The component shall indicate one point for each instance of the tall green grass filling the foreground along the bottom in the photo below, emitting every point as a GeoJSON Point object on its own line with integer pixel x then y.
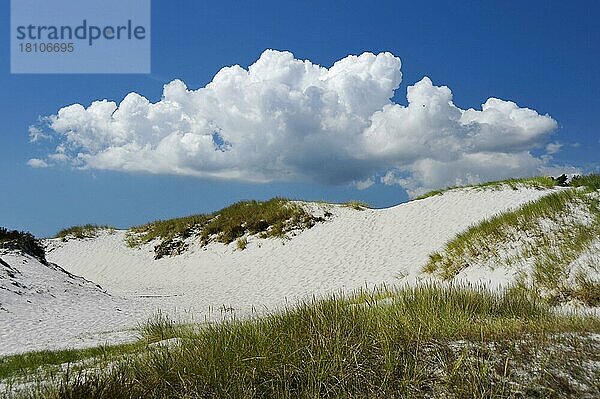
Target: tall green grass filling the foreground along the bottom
{"type": "Point", "coordinates": [428, 341]}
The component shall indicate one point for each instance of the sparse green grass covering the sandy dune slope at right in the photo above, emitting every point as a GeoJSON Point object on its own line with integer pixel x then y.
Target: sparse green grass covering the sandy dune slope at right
{"type": "Point", "coordinates": [551, 250]}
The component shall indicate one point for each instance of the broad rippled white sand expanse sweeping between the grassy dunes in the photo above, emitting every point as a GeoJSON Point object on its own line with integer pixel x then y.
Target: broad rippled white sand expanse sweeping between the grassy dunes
{"type": "Point", "coordinates": [351, 250]}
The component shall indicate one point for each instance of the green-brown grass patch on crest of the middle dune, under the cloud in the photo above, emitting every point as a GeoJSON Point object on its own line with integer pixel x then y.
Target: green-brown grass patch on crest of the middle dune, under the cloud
{"type": "Point", "coordinates": [273, 218]}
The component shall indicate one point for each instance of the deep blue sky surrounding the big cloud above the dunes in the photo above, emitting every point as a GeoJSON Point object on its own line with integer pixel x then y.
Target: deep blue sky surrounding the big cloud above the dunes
{"type": "Point", "coordinates": [542, 55]}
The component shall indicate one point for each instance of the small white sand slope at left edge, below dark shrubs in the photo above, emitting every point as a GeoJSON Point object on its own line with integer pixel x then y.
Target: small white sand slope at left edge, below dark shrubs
{"type": "Point", "coordinates": [42, 306]}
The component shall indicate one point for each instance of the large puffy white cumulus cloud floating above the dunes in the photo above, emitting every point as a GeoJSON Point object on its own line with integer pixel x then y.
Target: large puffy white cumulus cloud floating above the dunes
{"type": "Point", "coordinates": [285, 119]}
